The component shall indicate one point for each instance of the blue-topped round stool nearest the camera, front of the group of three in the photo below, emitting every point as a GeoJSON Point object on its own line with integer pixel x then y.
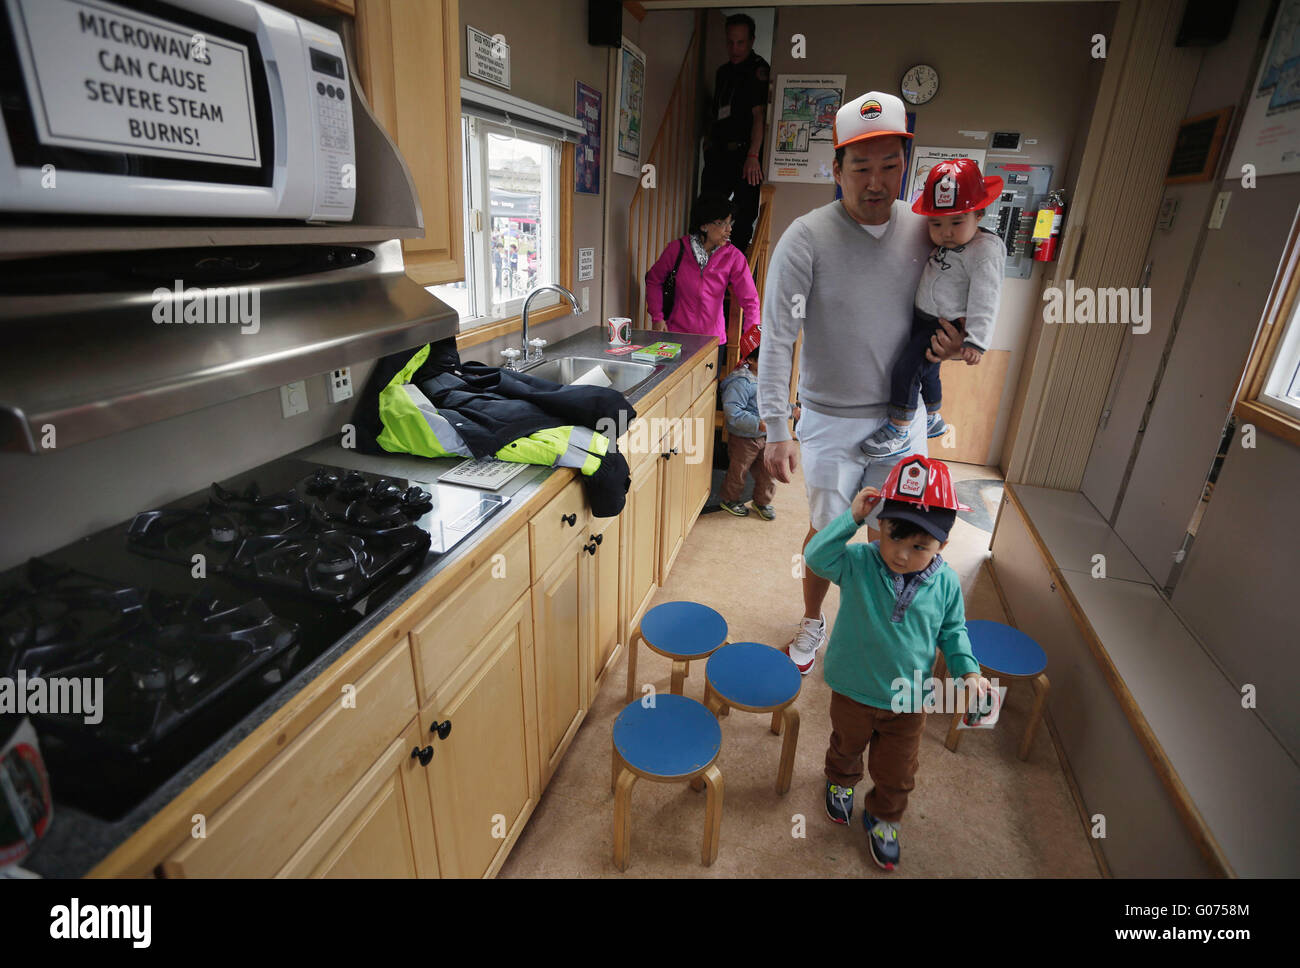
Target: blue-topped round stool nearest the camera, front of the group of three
{"type": "Point", "coordinates": [674, 740]}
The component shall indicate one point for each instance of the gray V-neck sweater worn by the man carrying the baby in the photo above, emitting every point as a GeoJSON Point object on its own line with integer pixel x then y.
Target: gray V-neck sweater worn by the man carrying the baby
{"type": "Point", "coordinates": [853, 297]}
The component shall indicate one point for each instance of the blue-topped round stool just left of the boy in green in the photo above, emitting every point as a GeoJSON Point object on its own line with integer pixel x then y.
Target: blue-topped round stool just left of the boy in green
{"type": "Point", "coordinates": [759, 679]}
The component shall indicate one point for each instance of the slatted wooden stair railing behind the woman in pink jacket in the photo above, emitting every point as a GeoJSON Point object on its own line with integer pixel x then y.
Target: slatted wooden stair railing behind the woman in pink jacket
{"type": "Point", "coordinates": [658, 215]}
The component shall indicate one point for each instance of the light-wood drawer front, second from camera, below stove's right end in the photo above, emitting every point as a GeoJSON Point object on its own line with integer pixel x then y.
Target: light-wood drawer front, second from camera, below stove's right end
{"type": "Point", "coordinates": [444, 640]}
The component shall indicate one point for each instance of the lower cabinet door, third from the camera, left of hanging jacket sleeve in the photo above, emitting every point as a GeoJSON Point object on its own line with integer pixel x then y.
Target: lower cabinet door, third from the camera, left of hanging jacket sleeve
{"type": "Point", "coordinates": [561, 632]}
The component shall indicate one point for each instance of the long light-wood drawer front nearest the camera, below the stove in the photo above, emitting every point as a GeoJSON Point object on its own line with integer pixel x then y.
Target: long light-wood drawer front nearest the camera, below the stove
{"type": "Point", "coordinates": [266, 823]}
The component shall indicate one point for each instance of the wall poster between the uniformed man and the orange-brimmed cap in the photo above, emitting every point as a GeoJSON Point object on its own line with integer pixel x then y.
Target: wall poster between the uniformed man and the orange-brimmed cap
{"type": "Point", "coordinates": [803, 146]}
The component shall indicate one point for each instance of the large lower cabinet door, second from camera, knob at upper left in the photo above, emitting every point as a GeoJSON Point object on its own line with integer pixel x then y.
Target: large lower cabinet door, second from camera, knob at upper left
{"type": "Point", "coordinates": [483, 776]}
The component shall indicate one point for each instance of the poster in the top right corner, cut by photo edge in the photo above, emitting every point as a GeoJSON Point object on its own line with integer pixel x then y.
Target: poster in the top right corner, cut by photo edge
{"type": "Point", "coordinates": [1271, 128]}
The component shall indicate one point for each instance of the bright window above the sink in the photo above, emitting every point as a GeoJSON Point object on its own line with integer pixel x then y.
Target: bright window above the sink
{"type": "Point", "coordinates": [513, 214]}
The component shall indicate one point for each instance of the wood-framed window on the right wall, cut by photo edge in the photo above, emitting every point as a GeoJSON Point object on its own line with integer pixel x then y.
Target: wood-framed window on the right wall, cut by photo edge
{"type": "Point", "coordinates": [1271, 394]}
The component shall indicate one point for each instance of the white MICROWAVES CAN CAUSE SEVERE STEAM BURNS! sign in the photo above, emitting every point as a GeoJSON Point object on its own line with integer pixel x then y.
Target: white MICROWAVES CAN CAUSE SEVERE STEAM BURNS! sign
{"type": "Point", "coordinates": [106, 79]}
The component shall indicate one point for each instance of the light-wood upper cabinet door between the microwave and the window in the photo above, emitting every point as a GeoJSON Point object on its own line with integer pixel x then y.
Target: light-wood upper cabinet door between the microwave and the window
{"type": "Point", "coordinates": [410, 68]}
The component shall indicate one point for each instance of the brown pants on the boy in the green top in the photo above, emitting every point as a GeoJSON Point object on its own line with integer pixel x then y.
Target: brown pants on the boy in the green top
{"type": "Point", "coordinates": [895, 740]}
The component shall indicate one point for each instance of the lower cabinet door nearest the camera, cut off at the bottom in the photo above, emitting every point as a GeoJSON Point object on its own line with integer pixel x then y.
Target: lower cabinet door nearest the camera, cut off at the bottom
{"type": "Point", "coordinates": [384, 827]}
